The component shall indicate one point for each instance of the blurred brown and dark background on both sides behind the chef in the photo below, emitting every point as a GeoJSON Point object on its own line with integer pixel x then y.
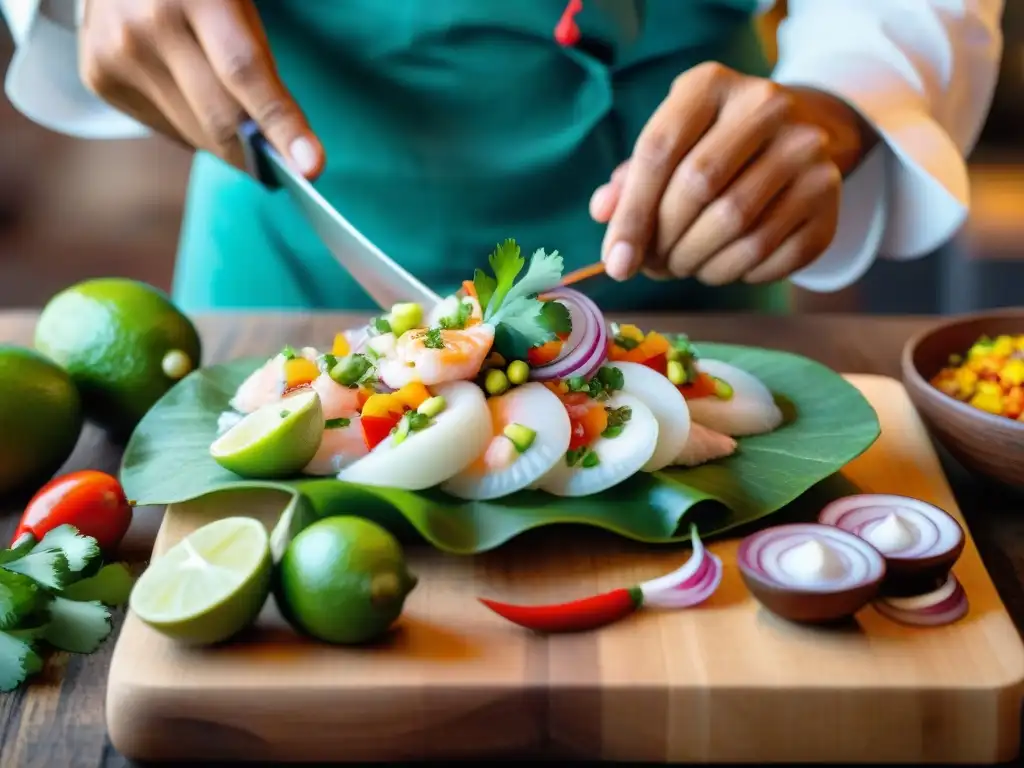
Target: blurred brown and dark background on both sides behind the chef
{"type": "Point", "coordinates": [72, 209]}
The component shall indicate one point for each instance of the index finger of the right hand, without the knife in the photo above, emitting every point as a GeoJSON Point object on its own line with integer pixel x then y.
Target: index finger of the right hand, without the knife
{"type": "Point", "coordinates": [675, 127]}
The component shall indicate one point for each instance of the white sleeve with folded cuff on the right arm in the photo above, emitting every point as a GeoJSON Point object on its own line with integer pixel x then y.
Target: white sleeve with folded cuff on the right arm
{"type": "Point", "coordinates": [923, 73]}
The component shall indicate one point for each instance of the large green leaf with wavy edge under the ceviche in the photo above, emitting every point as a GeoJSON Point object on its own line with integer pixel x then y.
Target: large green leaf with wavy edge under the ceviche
{"type": "Point", "coordinates": [829, 423]}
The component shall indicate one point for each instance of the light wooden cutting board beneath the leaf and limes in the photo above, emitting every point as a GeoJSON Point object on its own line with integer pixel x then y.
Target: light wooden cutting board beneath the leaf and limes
{"type": "Point", "coordinates": [722, 682]}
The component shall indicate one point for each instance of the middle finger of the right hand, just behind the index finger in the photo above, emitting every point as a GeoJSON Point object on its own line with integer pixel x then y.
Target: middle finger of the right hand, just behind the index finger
{"type": "Point", "coordinates": [751, 118]}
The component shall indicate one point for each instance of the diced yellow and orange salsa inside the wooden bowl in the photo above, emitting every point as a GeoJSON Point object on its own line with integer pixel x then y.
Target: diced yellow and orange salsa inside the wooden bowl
{"type": "Point", "coordinates": [991, 377]}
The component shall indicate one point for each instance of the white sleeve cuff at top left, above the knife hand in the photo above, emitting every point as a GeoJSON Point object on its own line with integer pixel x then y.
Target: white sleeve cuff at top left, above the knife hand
{"type": "Point", "coordinates": [44, 81]}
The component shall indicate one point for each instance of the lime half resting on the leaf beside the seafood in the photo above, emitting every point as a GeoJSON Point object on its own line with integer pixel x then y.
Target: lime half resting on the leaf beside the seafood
{"type": "Point", "coordinates": [278, 441]}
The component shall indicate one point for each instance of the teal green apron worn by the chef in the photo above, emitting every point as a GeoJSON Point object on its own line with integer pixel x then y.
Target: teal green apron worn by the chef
{"type": "Point", "coordinates": [451, 125]}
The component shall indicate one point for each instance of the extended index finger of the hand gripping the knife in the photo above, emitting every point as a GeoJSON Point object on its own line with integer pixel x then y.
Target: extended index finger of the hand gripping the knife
{"type": "Point", "coordinates": [236, 46]}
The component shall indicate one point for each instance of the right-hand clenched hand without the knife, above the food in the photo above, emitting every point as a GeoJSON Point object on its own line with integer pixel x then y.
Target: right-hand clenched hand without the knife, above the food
{"type": "Point", "coordinates": [734, 178]}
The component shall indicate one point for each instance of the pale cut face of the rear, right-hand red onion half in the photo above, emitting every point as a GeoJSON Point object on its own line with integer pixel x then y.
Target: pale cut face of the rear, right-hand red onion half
{"type": "Point", "coordinates": [901, 528]}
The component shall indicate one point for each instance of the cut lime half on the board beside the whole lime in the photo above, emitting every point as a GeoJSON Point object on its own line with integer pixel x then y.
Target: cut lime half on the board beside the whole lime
{"type": "Point", "coordinates": [210, 585]}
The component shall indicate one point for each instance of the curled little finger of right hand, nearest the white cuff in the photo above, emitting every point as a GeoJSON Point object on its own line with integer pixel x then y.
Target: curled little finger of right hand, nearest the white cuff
{"type": "Point", "coordinates": [796, 229]}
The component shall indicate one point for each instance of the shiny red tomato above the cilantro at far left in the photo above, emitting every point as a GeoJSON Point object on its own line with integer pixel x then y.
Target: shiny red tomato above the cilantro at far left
{"type": "Point", "coordinates": [94, 502]}
